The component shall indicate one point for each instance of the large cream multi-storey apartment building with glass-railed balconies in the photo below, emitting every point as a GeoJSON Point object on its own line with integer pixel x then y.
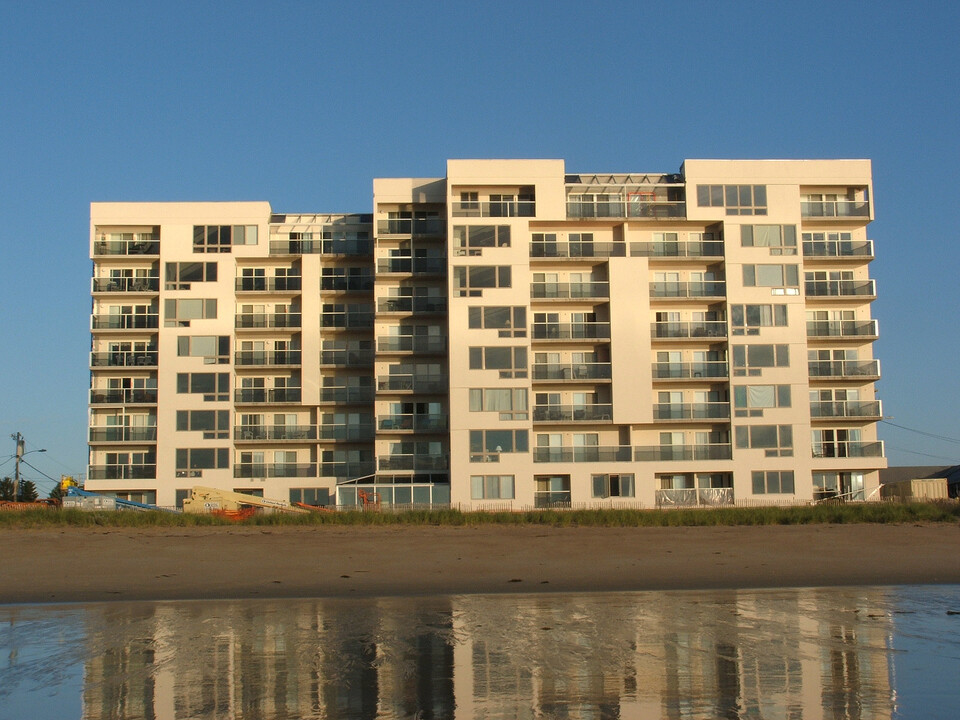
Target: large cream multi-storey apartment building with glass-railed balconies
{"type": "Point", "coordinates": [509, 335]}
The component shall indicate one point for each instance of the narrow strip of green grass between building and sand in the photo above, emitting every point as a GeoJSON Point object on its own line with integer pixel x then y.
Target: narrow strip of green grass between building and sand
{"type": "Point", "coordinates": [936, 512]}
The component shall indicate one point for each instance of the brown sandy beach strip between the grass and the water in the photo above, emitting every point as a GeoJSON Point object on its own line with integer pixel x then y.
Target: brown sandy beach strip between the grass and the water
{"type": "Point", "coordinates": [85, 564]}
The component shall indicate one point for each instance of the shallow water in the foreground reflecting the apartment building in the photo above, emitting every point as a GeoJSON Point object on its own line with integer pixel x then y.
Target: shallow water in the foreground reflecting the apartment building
{"type": "Point", "coordinates": [799, 653]}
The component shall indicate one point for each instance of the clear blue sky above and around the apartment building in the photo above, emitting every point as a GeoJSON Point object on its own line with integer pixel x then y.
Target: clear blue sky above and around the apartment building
{"type": "Point", "coordinates": [302, 104]}
